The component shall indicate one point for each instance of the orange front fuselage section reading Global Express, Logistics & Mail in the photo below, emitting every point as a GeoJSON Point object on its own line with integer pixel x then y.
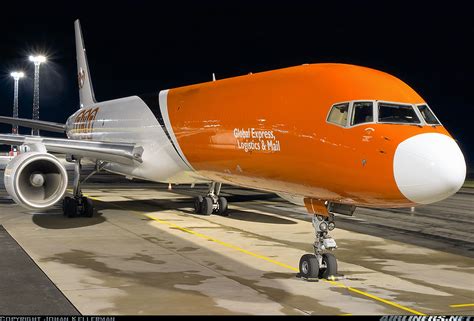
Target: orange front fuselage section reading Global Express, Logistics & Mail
{"type": "Point", "coordinates": [269, 131]}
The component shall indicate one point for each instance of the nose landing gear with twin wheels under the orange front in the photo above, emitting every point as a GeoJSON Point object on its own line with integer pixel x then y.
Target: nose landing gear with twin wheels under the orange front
{"type": "Point", "coordinates": [321, 264]}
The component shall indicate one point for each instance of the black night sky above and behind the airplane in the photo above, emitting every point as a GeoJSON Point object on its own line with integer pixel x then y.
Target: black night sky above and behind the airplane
{"type": "Point", "coordinates": [143, 46]}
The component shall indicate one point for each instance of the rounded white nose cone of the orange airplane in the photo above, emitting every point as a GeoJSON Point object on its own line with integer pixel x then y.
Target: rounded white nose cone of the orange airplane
{"type": "Point", "coordinates": [428, 168]}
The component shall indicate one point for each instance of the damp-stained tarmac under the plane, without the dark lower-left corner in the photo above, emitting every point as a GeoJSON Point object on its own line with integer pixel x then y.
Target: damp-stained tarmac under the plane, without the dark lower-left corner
{"type": "Point", "coordinates": [146, 252]}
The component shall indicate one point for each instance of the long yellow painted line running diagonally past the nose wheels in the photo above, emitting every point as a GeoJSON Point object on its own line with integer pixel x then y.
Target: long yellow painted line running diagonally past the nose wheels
{"type": "Point", "coordinates": [209, 238]}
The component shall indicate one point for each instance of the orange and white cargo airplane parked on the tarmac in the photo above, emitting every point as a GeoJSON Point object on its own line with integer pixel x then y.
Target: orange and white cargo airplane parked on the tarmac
{"type": "Point", "coordinates": [329, 137]}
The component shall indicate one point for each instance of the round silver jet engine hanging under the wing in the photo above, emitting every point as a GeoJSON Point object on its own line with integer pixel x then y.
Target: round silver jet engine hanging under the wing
{"type": "Point", "coordinates": [35, 180]}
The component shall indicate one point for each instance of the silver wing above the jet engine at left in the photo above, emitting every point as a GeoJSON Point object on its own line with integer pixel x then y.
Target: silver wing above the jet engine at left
{"type": "Point", "coordinates": [123, 153]}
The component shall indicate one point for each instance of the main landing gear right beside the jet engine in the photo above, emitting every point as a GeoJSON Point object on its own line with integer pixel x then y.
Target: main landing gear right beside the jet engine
{"type": "Point", "coordinates": [78, 205]}
